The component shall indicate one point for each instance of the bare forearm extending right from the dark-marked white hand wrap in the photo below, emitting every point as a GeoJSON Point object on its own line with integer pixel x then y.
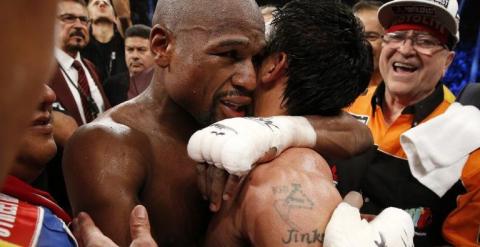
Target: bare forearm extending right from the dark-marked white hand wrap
{"type": "Point", "coordinates": [340, 136]}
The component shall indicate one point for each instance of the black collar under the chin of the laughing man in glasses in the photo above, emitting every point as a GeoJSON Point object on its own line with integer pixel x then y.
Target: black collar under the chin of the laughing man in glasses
{"type": "Point", "coordinates": [419, 110]}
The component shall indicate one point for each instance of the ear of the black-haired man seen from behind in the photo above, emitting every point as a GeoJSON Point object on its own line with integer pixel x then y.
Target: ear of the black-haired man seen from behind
{"type": "Point", "coordinates": [273, 67]}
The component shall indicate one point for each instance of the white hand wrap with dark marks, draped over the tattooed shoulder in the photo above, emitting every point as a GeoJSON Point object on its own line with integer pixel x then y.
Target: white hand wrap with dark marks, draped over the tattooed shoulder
{"type": "Point", "coordinates": [236, 144]}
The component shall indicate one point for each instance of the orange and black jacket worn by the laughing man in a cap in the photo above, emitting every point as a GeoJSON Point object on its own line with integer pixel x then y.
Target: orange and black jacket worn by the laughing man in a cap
{"type": "Point", "coordinates": [383, 176]}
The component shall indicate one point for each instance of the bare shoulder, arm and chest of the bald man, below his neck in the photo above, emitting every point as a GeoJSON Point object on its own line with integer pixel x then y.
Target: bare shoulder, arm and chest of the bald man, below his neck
{"type": "Point", "coordinates": [139, 174]}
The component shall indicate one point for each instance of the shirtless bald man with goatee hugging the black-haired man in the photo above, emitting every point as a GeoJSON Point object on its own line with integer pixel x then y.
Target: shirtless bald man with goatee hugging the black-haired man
{"type": "Point", "coordinates": [136, 153]}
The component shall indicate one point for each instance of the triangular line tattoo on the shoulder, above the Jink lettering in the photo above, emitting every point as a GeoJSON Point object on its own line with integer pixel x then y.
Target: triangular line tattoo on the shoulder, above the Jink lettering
{"type": "Point", "coordinates": [292, 199]}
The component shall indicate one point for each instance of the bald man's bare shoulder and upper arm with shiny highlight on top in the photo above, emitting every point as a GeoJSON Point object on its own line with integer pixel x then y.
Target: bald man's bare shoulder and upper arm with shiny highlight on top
{"type": "Point", "coordinates": [104, 172]}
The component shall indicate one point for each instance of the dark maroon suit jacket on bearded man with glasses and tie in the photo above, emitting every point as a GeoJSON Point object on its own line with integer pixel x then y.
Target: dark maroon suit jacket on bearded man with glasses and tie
{"type": "Point", "coordinates": [59, 84]}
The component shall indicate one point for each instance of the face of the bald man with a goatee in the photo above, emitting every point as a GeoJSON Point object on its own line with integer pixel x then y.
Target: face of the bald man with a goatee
{"type": "Point", "coordinates": [211, 72]}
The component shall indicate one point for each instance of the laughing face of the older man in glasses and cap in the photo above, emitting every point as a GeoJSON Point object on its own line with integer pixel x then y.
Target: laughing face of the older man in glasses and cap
{"type": "Point", "coordinates": [409, 75]}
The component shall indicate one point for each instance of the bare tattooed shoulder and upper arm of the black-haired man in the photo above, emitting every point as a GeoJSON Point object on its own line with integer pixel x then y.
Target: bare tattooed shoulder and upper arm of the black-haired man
{"type": "Point", "coordinates": [289, 200]}
